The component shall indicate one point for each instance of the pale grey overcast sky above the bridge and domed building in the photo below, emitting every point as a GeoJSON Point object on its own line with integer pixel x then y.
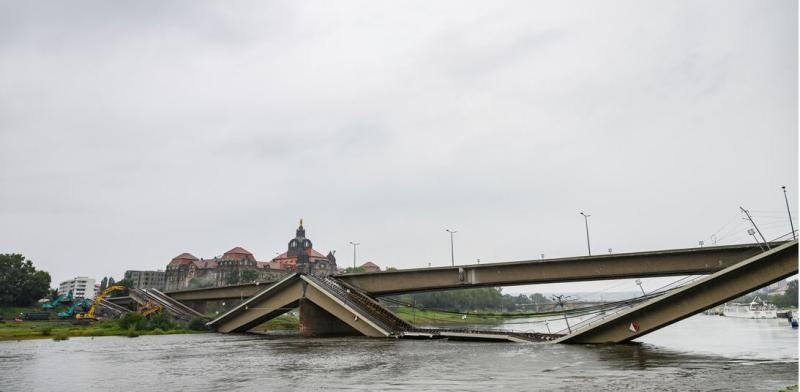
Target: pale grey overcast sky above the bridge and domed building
{"type": "Point", "coordinates": [134, 131]}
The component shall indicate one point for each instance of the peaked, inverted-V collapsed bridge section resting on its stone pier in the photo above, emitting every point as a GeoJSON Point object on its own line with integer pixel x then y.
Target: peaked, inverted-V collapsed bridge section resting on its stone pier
{"type": "Point", "coordinates": [326, 308]}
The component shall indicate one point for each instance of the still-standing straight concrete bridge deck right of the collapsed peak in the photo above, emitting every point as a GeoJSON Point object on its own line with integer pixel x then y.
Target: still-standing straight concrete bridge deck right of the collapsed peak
{"type": "Point", "coordinates": [692, 261]}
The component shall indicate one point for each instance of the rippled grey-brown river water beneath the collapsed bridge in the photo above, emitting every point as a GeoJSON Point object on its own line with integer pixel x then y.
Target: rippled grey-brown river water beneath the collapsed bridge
{"type": "Point", "coordinates": [700, 353]}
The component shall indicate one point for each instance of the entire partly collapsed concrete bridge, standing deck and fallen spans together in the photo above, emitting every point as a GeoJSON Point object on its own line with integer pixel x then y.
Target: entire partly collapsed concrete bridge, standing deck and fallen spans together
{"type": "Point", "coordinates": [345, 304]}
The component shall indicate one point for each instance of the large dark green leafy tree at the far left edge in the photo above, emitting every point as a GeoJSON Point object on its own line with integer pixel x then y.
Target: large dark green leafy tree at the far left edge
{"type": "Point", "coordinates": [20, 283]}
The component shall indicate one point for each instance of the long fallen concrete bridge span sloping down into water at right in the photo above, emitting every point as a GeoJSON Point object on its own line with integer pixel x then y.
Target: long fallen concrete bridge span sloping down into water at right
{"type": "Point", "coordinates": [729, 283]}
